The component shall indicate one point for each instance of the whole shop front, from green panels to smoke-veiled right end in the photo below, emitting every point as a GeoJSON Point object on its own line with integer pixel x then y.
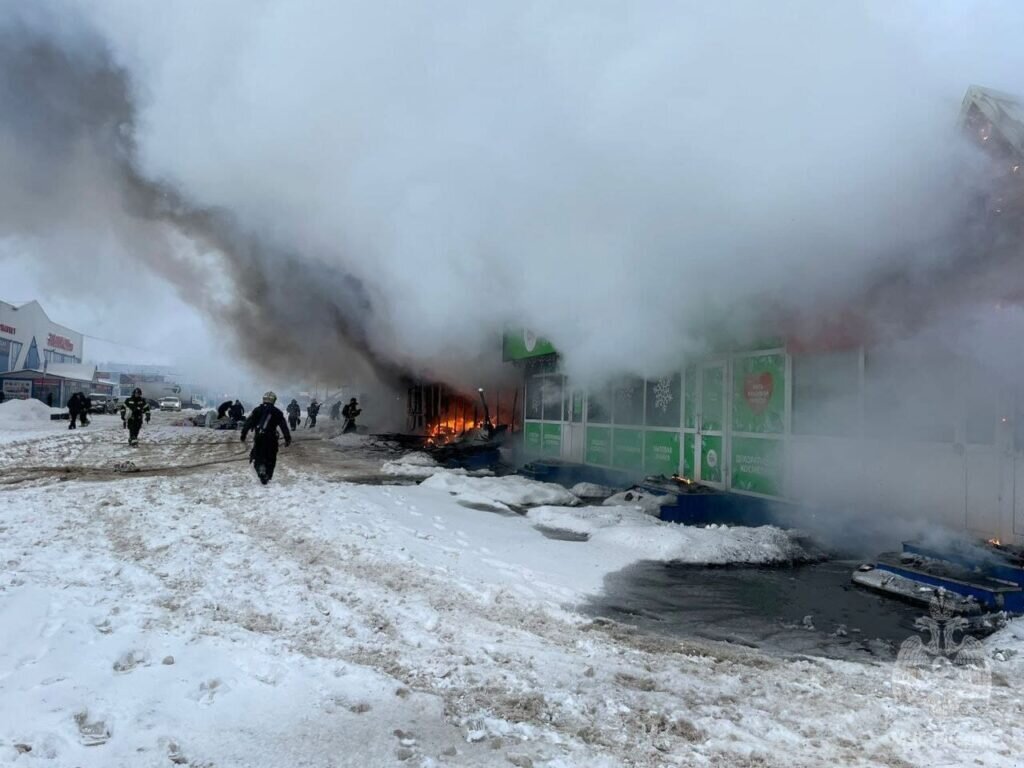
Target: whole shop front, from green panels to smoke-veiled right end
{"type": "Point", "coordinates": [918, 438]}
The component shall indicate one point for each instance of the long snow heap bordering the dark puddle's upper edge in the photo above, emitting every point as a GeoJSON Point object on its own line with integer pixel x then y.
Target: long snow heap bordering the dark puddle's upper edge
{"type": "Point", "coordinates": [637, 535]}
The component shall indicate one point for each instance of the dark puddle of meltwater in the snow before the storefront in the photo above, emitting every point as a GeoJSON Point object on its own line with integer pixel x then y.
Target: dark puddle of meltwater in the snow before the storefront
{"type": "Point", "coordinates": [761, 608]}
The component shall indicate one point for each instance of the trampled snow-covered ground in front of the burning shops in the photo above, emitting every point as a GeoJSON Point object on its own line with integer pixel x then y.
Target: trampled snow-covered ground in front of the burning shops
{"type": "Point", "coordinates": [180, 614]}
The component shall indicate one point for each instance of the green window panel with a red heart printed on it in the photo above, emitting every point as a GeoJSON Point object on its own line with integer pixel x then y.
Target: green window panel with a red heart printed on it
{"type": "Point", "coordinates": [759, 395]}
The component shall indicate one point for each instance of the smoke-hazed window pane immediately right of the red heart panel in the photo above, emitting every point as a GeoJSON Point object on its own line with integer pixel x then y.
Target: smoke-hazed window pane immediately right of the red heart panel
{"type": "Point", "coordinates": [827, 394]}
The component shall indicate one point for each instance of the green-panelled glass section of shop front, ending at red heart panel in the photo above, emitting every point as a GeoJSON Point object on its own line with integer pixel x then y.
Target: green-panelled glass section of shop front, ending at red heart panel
{"type": "Point", "coordinates": [723, 421]}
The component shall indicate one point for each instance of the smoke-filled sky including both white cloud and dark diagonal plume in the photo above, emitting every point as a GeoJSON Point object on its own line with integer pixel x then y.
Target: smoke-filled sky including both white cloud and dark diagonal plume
{"type": "Point", "coordinates": [337, 191]}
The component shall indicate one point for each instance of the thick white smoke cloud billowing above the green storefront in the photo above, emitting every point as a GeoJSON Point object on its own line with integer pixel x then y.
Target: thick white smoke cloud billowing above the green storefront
{"type": "Point", "coordinates": [622, 178]}
